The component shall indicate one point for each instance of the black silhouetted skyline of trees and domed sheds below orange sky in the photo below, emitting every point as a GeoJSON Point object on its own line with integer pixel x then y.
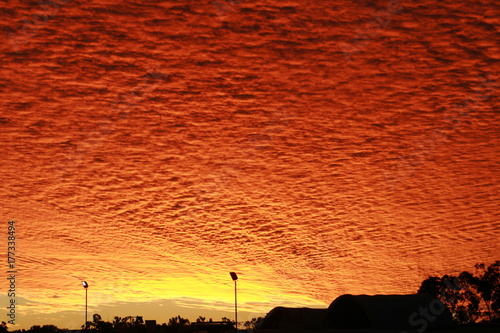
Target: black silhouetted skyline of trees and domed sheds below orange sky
{"type": "Point", "coordinates": [463, 303]}
